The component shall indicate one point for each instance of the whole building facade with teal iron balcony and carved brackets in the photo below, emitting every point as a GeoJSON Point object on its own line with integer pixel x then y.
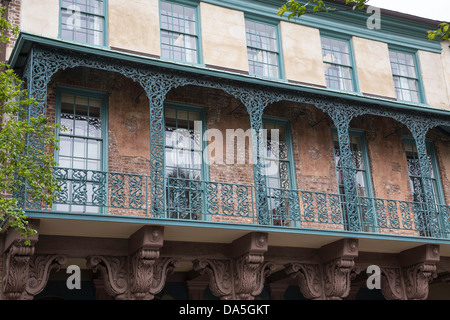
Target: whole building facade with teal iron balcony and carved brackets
{"type": "Point", "coordinates": [214, 150]}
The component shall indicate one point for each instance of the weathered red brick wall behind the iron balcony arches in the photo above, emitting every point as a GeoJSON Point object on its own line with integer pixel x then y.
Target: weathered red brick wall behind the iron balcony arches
{"type": "Point", "coordinates": [129, 132]}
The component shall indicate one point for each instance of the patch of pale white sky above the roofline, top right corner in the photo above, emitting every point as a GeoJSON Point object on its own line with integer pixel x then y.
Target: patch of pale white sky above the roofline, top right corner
{"type": "Point", "coordinates": [432, 9]}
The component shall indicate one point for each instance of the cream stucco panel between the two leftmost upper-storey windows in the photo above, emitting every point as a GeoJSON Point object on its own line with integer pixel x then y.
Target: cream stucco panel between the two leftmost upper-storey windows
{"type": "Point", "coordinates": [134, 25]}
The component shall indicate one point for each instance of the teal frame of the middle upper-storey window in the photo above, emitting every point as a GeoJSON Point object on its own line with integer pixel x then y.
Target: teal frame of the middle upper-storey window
{"type": "Point", "coordinates": [280, 60]}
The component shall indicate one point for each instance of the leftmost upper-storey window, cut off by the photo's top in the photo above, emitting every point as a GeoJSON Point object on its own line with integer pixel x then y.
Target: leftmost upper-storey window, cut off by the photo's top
{"type": "Point", "coordinates": [83, 21]}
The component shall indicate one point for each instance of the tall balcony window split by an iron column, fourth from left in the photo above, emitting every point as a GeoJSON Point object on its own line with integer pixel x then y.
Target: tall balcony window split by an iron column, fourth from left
{"type": "Point", "coordinates": [360, 166]}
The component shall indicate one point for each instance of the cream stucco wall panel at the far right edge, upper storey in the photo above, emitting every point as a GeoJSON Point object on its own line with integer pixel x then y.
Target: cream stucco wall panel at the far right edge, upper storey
{"type": "Point", "coordinates": [434, 82]}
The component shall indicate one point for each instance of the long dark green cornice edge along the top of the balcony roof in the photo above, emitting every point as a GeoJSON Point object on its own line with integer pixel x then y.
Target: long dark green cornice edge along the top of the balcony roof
{"type": "Point", "coordinates": [25, 40]}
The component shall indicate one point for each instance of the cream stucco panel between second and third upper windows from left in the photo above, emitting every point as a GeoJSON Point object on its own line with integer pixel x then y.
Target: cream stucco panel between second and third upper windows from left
{"type": "Point", "coordinates": [223, 37]}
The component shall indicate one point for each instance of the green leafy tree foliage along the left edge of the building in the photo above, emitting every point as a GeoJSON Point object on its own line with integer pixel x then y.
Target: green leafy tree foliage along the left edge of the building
{"type": "Point", "coordinates": [24, 166]}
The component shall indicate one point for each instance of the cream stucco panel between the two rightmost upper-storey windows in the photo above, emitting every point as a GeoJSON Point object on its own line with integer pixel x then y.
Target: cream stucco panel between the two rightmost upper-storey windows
{"type": "Point", "coordinates": [373, 67]}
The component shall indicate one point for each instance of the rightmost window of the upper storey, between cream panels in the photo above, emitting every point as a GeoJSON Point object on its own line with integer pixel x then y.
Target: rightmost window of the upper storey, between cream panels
{"type": "Point", "coordinates": [406, 80]}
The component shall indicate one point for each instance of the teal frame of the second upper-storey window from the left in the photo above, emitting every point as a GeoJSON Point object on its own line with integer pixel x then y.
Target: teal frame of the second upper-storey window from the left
{"type": "Point", "coordinates": [199, 51]}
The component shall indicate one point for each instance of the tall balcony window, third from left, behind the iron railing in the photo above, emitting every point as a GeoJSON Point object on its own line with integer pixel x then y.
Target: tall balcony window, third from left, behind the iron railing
{"type": "Point", "coordinates": [278, 171]}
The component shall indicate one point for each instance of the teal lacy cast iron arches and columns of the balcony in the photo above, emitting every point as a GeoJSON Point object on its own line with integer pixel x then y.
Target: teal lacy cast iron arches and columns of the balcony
{"type": "Point", "coordinates": [44, 62]}
